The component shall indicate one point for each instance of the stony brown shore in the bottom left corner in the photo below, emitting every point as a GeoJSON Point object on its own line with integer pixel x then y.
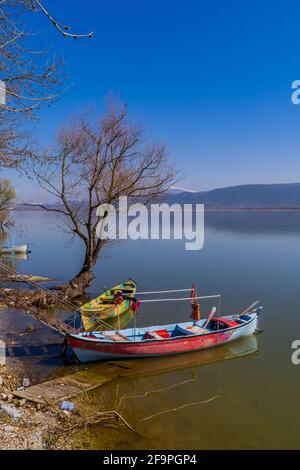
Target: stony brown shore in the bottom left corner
{"type": "Point", "coordinates": [25, 425]}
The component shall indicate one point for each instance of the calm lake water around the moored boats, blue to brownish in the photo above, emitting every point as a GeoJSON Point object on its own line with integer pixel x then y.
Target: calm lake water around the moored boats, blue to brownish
{"type": "Point", "coordinates": [244, 395]}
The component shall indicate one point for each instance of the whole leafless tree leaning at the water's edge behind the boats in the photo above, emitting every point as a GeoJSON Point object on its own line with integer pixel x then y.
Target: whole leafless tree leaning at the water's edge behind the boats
{"type": "Point", "coordinates": [96, 162]}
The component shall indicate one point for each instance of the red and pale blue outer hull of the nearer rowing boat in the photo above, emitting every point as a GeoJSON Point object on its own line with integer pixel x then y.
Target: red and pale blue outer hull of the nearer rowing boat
{"type": "Point", "coordinates": [90, 350]}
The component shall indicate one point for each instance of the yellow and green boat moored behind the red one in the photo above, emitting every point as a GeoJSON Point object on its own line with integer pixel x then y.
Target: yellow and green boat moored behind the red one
{"type": "Point", "coordinates": [112, 303]}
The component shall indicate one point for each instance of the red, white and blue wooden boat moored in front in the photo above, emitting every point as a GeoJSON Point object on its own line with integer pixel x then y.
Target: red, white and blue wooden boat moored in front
{"type": "Point", "coordinates": [164, 340]}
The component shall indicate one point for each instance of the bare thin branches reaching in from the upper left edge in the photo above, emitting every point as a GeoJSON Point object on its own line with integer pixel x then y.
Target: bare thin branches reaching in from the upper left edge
{"type": "Point", "coordinates": [33, 78]}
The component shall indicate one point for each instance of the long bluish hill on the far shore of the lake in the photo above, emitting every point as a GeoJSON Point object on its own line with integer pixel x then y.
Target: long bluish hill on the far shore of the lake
{"type": "Point", "coordinates": [250, 196]}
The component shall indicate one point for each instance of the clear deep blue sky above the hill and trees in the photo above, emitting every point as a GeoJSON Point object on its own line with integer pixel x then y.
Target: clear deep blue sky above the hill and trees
{"type": "Point", "coordinates": [211, 79]}
